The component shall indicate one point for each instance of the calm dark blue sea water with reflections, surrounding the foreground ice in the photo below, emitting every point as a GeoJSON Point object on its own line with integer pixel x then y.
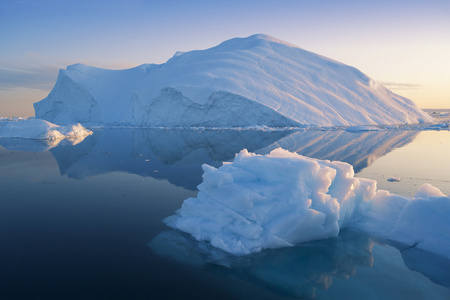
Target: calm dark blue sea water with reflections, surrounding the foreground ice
{"type": "Point", "coordinates": [85, 221]}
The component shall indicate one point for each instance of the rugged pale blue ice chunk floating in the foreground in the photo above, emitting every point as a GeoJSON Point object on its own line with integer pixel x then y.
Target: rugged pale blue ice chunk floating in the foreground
{"type": "Point", "coordinates": [282, 199]}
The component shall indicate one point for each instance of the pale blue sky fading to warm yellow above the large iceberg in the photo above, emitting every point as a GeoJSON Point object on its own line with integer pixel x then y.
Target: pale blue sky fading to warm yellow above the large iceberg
{"type": "Point", "coordinates": [403, 44]}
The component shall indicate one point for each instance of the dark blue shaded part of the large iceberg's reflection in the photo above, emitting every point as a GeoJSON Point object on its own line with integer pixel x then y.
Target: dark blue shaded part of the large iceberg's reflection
{"type": "Point", "coordinates": [174, 155]}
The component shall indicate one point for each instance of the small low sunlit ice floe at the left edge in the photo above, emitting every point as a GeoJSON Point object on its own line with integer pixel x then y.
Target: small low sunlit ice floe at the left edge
{"type": "Point", "coordinates": [41, 130]}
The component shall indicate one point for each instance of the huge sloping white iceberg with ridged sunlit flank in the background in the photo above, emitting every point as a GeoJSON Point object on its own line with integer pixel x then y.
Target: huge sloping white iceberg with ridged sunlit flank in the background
{"type": "Point", "coordinates": [253, 81]}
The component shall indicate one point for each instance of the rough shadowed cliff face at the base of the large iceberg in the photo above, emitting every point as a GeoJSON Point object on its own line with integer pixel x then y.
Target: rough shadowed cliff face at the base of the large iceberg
{"type": "Point", "coordinates": [223, 109]}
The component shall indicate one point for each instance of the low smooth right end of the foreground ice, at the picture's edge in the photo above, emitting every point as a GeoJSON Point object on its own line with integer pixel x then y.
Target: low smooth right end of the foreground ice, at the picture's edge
{"type": "Point", "coordinates": [420, 222]}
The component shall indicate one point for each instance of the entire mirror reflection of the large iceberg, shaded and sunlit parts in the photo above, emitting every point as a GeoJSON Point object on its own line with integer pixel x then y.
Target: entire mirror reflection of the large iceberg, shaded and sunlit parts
{"type": "Point", "coordinates": [172, 153]}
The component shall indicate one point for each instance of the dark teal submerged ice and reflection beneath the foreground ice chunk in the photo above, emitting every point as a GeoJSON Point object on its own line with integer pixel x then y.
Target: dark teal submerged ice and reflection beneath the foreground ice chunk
{"type": "Point", "coordinates": [325, 269]}
